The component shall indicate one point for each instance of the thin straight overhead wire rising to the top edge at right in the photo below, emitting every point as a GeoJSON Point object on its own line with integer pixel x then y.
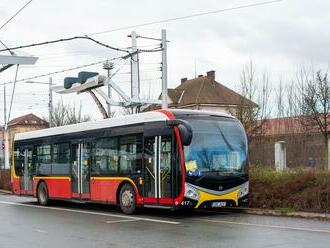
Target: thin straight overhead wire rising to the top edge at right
{"type": "Point", "coordinates": [185, 17]}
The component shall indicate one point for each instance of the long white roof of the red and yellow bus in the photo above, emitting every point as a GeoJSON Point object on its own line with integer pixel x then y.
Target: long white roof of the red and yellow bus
{"type": "Point", "coordinates": [111, 122]}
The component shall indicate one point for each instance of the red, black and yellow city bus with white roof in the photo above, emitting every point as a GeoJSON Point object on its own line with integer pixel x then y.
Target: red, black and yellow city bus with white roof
{"type": "Point", "coordinates": [164, 159]}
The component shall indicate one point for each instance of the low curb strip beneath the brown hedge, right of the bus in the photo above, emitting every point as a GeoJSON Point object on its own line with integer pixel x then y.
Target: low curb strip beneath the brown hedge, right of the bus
{"type": "Point", "coordinates": [306, 215]}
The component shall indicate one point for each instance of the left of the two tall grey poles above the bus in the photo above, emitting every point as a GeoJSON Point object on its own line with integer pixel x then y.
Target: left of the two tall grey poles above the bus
{"type": "Point", "coordinates": [135, 87]}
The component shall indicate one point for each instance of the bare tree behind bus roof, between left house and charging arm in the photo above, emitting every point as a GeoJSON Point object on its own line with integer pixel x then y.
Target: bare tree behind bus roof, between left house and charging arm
{"type": "Point", "coordinates": [66, 114]}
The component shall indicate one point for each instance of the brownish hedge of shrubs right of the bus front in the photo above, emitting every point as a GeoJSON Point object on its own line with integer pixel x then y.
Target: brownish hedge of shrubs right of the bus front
{"type": "Point", "coordinates": [299, 189]}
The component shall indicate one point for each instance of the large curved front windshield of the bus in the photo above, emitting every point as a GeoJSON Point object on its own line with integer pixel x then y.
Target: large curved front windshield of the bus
{"type": "Point", "coordinates": [218, 146]}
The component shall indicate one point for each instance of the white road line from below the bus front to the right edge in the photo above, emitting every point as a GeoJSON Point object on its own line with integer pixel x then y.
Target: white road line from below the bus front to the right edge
{"type": "Point", "coordinates": [267, 226]}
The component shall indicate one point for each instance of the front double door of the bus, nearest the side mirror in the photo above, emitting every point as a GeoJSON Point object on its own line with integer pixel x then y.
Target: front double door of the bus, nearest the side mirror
{"type": "Point", "coordinates": [158, 174]}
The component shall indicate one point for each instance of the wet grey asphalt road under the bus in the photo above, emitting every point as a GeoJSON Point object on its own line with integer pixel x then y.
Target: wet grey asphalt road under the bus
{"type": "Point", "coordinates": [25, 224]}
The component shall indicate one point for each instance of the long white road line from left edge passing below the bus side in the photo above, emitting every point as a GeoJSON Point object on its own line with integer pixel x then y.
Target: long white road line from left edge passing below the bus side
{"type": "Point", "coordinates": [92, 213]}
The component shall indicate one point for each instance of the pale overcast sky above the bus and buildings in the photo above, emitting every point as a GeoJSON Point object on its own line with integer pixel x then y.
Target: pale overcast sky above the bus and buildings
{"type": "Point", "coordinates": [278, 38]}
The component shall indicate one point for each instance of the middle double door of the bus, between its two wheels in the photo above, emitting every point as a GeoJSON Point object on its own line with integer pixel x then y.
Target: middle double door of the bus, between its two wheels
{"type": "Point", "coordinates": [80, 173]}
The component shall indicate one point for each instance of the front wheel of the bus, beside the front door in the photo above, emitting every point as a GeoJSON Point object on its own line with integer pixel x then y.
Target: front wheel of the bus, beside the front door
{"type": "Point", "coordinates": [127, 198]}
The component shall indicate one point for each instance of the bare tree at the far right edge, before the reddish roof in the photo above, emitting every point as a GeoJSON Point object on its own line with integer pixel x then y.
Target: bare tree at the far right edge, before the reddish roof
{"type": "Point", "coordinates": [316, 106]}
